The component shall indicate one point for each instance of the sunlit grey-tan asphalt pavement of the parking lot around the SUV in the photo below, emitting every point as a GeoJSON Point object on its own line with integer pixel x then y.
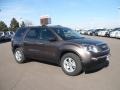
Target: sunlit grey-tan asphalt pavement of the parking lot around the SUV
{"type": "Point", "coordinates": [36, 75]}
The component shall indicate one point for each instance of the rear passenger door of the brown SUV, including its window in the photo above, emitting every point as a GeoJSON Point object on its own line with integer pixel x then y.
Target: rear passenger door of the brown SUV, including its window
{"type": "Point", "coordinates": [32, 46]}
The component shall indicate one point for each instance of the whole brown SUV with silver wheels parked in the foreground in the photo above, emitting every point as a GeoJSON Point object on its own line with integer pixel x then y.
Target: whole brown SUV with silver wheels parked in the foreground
{"type": "Point", "coordinates": [60, 45]}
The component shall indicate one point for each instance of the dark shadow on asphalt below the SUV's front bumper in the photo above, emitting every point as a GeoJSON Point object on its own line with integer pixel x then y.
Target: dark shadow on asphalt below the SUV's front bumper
{"type": "Point", "coordinates": [97, 67]}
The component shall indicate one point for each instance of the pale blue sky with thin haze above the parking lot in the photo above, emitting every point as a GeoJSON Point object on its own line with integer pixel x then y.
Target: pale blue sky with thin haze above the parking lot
{"type": "Point", "coordinates": [83, 14]}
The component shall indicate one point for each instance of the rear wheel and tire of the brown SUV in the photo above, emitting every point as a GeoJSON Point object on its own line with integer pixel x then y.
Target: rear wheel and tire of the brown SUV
{"type": "Point", "coordinates": [19, 55]}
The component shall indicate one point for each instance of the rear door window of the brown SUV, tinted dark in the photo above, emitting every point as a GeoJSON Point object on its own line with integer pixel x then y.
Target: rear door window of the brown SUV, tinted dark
{"type": "Point", "coordinates": [33, 34]}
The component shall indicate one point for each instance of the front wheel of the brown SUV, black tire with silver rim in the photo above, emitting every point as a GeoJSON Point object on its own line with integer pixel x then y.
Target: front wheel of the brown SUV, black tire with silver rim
{"type": "Point", "coordinates": [76, 67]}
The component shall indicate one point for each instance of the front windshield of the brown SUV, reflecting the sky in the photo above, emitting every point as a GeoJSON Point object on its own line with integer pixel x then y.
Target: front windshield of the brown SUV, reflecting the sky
{"type": "Point", "coordinates": [67, 34]}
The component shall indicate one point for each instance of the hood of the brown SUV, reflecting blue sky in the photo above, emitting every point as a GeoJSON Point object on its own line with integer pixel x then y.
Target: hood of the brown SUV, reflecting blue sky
{"type": "Point", "coordinates": [86, 41]}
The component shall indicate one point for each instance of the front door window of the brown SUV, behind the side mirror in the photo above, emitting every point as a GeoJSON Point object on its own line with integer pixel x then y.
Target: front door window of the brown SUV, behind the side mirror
{"type": "Point", "coordinates": [46, 34]}
